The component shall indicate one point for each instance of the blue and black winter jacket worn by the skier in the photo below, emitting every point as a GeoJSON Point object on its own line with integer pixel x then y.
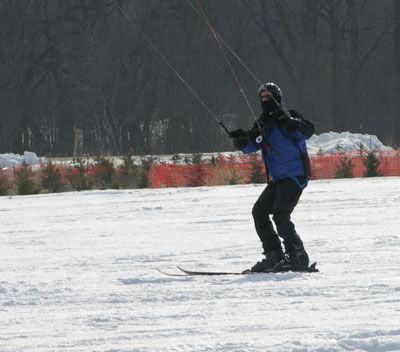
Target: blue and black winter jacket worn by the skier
{"type": "Point", "coordinates": [284, 150]}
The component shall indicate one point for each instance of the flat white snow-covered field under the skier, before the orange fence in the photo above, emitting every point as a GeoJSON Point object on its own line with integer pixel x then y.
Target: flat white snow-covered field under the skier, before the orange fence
{"type": "Point", "coordinates": [77, 271]}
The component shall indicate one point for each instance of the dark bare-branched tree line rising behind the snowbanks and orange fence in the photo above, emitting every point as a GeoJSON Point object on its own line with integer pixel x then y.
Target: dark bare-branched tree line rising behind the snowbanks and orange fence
{"type": "Point", "coordinates": [81, 67]}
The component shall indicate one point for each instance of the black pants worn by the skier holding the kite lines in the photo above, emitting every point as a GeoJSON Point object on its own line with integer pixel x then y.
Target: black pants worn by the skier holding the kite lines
{"type": "Point", "coordinates": [278, 199]}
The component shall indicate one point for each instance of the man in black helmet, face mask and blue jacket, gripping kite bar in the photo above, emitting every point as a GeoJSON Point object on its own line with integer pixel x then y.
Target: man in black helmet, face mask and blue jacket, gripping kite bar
{"type": "Point", "coordinates": [281, 136]}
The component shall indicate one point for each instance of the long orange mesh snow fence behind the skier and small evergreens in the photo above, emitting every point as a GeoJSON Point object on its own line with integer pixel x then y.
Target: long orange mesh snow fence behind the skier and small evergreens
{"type": "Point", "coordinates": [217, 171]}
